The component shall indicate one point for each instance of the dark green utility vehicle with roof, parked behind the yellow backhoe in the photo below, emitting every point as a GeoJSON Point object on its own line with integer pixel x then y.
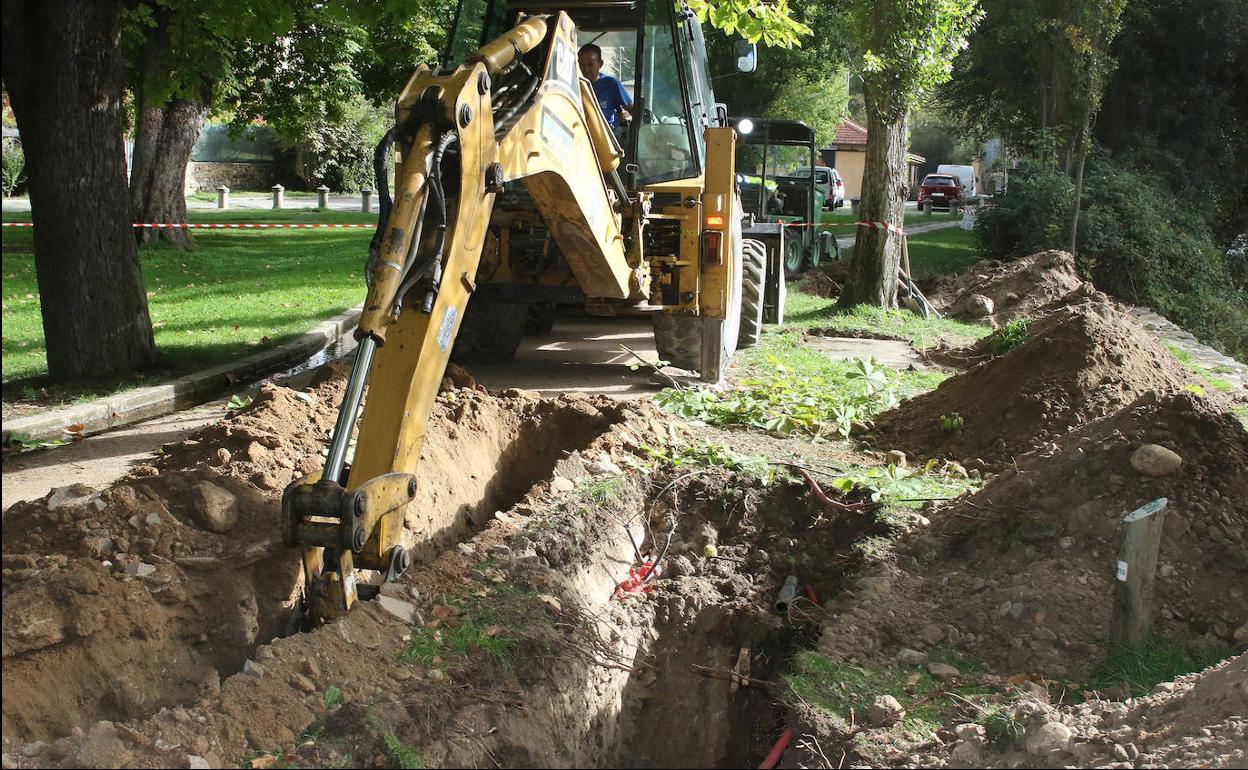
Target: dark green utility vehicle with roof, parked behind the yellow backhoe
{"type": "Point", "coordinates": [782, 199]}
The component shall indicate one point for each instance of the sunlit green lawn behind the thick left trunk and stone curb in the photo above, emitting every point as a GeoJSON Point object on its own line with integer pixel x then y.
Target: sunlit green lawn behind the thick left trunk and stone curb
{"type": "Point", "coordinates": [234, 295]}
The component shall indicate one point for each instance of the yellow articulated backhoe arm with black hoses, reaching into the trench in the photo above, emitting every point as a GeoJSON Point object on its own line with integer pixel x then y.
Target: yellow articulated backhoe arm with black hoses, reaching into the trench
{"type": "Point", "coordinates": [517, 110]}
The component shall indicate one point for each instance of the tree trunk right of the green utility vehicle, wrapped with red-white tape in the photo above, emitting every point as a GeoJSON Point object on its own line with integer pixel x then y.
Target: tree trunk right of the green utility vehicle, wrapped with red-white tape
{"type": "Point", "coordinates": [873, 278]}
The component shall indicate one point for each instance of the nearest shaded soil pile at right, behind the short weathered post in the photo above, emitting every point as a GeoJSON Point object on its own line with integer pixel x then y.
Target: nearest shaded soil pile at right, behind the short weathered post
{"type": "Point", "coordinates": [1023, 573]}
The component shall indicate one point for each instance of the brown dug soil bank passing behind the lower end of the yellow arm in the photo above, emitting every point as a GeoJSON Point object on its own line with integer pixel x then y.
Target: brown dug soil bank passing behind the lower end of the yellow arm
{"type": "Point", "coordinates": [149, 593]}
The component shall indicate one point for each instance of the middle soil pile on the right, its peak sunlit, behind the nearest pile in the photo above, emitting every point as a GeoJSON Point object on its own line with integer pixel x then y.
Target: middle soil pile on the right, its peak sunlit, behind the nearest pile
{"type": "Point", "coordinates": [1081, 363]}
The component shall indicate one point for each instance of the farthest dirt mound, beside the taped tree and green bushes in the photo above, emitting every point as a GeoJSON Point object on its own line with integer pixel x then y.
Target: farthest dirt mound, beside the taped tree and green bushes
{"type": "Point", "coordinates": [1015, 289]}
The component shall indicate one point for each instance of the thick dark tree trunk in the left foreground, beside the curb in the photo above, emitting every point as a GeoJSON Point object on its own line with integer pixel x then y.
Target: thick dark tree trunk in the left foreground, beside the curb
{"type": "Point", "coordinates": [63, 72]}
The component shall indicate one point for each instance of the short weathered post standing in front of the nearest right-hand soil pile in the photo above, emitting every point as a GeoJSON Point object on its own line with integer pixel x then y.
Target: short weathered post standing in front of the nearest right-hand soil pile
{"type": "Point", "coordinates": [1136, 572]}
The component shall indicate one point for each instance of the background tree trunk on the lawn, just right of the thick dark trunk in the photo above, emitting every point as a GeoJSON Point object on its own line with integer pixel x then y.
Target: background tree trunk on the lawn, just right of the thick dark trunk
{"type": "Point", "coordinates": [164, 140]}
